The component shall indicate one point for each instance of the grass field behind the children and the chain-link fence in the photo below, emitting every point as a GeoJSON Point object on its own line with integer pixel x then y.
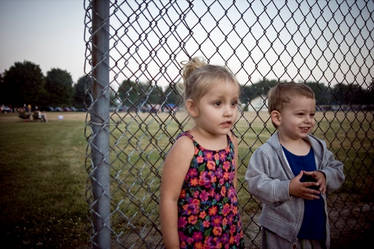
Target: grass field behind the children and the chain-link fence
{"type": "Point", "coordinates": [43, 177]}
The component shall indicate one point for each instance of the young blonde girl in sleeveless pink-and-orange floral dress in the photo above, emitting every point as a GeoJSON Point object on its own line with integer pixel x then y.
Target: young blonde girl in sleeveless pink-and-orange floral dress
{"type": "Point", "coordinates": [199, 206]}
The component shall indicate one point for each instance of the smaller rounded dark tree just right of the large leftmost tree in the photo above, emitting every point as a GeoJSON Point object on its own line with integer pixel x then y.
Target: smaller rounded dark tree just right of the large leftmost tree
{"type": "Point", "coordinates": [59, 87]}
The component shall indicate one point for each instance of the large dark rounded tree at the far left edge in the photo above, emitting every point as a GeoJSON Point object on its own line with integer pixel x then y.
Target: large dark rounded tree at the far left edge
{"type": "Point", "coordinates": [23, 83]}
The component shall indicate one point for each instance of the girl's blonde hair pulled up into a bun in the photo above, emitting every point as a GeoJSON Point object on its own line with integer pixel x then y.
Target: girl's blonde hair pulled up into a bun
{"type": "Point", "coordinates": [198, 76]}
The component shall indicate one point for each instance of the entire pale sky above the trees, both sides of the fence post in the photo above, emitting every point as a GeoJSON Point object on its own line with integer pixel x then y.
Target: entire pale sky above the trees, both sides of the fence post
{"type": "Point", "coordinates": [329, 42]}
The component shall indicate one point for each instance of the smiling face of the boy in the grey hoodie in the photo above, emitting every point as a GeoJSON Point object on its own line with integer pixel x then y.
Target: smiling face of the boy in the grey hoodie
{"type": "Point", "coordinates": [296, 120]}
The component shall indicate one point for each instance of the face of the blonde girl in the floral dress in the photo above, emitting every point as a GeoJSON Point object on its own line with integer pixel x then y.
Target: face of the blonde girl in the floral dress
{"type": "Point", "coordinates": [217, 111]}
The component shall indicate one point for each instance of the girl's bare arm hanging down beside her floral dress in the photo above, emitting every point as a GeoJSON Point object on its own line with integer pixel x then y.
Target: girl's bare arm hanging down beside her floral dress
{"type": "Point", "coordinates": [174, 172]}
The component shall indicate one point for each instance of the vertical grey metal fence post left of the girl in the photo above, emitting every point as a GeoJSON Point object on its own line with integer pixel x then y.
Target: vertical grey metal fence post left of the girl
{"type": "Point", "coordinates": [99, 113]}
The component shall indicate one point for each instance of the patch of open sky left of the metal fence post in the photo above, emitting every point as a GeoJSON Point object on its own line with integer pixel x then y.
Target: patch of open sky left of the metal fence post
{"type": "Point", "coordinates": [48, 33]}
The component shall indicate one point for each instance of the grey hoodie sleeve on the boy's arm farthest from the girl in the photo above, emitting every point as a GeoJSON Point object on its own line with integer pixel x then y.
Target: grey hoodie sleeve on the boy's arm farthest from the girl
{"type": "Point", "coordinates": [333, 170]}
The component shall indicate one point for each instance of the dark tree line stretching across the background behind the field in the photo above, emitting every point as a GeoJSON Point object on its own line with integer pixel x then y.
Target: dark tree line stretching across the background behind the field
{"type": "Point", "coordinates": [24, 83]}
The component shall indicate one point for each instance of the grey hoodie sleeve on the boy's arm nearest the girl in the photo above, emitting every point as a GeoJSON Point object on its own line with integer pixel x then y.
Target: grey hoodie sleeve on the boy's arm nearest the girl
{"type": "Point", "coordinates": [258, 175]}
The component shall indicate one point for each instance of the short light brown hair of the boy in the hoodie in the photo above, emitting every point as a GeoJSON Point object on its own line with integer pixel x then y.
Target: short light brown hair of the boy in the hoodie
{"type": "Point", "coordinates": [282, 93]}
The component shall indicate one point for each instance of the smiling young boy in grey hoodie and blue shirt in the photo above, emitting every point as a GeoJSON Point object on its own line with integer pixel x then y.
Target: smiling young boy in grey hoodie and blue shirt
{"type": "Point", "coordinates": [291, 173]}
